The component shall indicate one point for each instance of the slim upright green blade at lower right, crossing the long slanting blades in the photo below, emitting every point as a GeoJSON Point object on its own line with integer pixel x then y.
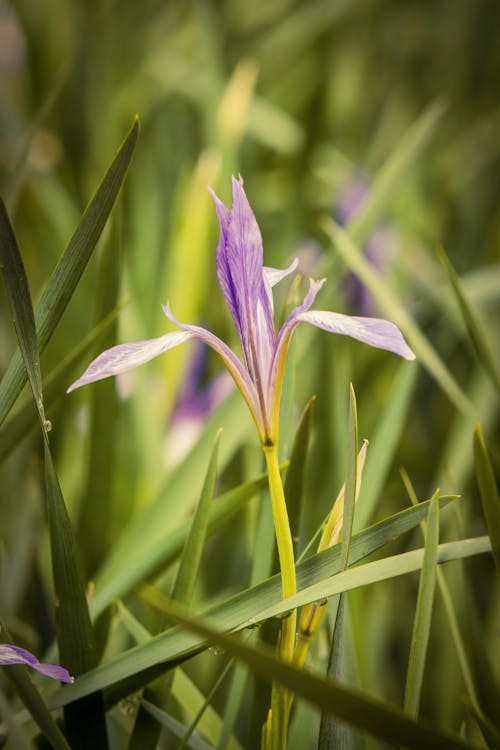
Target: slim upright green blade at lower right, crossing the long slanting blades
{"type": "Point", "coordinates": [423, 613]}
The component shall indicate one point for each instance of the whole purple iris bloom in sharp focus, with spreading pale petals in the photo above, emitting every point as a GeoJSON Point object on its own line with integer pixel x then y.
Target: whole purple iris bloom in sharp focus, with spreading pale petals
{"type": "Point", "coordinates": [246, 285]}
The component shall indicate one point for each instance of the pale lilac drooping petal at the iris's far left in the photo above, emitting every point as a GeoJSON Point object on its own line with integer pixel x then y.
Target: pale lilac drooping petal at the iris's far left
{"type": "Point", "coordinates": [126, 357]}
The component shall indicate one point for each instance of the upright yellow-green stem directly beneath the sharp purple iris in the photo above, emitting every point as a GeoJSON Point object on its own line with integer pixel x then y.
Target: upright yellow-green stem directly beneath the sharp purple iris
{"type": "Point", "coordinates": [280, 699]}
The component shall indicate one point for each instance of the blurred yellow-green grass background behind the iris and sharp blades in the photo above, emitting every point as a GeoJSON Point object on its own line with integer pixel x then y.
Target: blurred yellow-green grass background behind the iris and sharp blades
{"type": "Point", "coordinates": [315, 104]}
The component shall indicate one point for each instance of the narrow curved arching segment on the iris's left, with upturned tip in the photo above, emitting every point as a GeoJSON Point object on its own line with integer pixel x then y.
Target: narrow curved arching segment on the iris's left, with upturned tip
{"type": "Point", "coordinates": [231, 362]}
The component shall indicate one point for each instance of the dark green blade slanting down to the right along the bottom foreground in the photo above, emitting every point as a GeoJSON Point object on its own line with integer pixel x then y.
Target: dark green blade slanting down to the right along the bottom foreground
{"type": "Point", "coordinates": [381, 720]}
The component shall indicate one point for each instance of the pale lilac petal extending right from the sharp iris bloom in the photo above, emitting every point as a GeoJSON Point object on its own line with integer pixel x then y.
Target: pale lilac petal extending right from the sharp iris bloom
{"type": "Point", "coordinates": [382, 334]}
